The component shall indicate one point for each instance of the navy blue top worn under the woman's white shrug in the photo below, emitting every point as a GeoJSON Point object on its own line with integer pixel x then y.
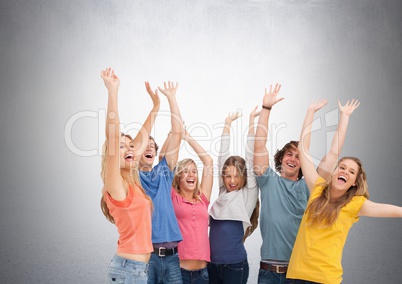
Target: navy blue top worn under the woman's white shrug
{"type": "Point", "coordinates": [226, 241]}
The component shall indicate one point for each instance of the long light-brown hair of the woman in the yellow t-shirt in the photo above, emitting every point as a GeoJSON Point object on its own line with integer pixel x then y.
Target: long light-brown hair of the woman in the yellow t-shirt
{"type": "Point", "coordinates": [323, 211]}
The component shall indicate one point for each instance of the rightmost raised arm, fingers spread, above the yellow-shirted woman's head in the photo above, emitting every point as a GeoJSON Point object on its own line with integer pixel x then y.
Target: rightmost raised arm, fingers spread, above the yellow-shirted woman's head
{"type": "Point", "coordinates": [328, 162]}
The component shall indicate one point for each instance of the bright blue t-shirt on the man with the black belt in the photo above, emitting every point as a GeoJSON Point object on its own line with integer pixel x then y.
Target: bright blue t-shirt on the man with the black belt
{"type": "Point", "coordinates": [157, 183]}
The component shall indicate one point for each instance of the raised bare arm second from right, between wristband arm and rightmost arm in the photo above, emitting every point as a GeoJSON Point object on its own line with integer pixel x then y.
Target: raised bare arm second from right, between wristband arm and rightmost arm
{"type": "Point", "coordinates": [306, 161]}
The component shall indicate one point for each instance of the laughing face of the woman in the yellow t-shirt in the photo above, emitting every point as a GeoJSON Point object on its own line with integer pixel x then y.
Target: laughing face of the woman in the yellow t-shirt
{"type": "Point", "coordinates": [344, 176]}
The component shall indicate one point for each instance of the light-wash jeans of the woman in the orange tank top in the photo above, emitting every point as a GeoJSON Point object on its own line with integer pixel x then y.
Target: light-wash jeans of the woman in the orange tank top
{"type": "Point", "coordinates": [122, 270]}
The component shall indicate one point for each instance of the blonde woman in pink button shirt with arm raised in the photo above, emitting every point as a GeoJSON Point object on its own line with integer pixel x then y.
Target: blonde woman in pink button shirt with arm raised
{"type": "Point", "coordinates": [190, 202]}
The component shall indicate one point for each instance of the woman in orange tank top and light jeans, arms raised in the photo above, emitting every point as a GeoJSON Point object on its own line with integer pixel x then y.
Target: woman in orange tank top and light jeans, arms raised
{"type": "Point", "coordinates": [124, 202]}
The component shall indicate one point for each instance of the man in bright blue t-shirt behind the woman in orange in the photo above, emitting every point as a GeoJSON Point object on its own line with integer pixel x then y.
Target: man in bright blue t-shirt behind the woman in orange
{"type": "Point", "coordinates": [156, 180]}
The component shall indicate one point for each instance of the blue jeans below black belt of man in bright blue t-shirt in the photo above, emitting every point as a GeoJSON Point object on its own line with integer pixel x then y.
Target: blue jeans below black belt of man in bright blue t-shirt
{"type": "Point", "coordinates": [164, 269]}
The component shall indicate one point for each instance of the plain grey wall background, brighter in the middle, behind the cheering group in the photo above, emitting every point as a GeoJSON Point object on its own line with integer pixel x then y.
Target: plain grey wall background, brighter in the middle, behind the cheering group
{"type": "Point", "coordinates": [223, 54]}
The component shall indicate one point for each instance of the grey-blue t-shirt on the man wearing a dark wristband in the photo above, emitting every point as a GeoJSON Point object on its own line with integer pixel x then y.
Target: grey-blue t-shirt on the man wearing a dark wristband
{"type": "Point", "coordinates": [283, 202]}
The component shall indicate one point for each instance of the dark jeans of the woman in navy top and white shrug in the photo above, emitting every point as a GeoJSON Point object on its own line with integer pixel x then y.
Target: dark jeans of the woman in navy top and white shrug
{"type": "Point", "coordinates": [228, 273]}
